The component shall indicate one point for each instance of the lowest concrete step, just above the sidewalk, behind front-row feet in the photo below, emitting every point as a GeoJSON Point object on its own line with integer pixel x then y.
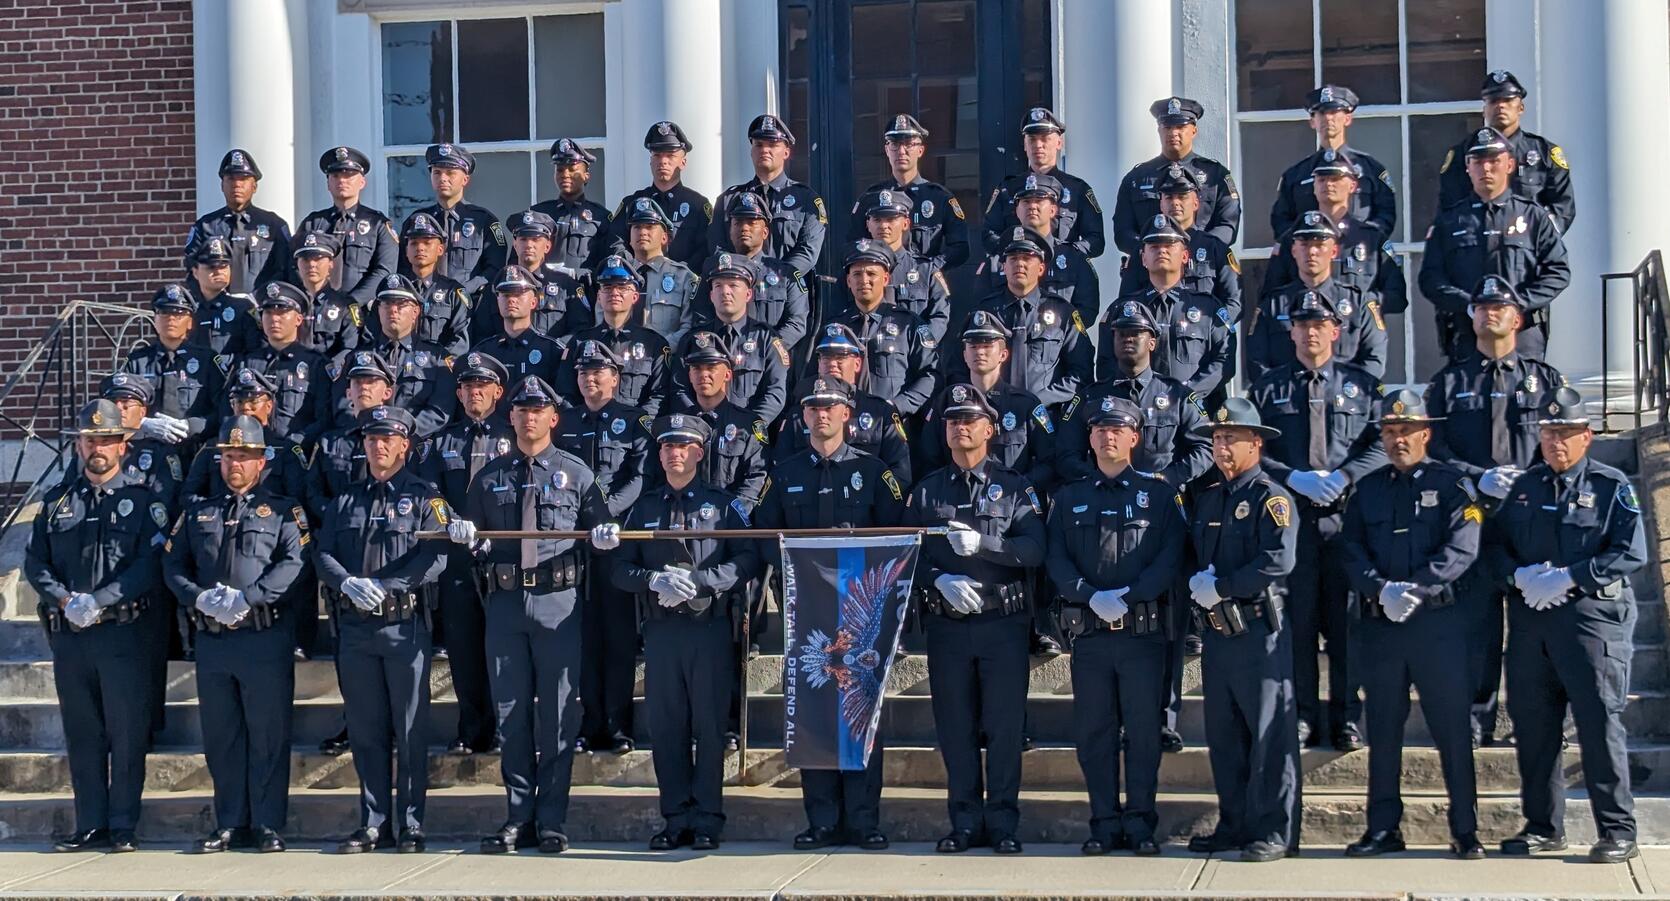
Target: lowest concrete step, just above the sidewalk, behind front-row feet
{"type": "Point", "coordinates": [776, 813]}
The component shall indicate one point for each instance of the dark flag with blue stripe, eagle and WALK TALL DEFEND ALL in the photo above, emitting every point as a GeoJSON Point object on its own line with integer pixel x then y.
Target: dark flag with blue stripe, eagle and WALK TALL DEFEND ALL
{"type": "Point", "coordinates": [844, 608]}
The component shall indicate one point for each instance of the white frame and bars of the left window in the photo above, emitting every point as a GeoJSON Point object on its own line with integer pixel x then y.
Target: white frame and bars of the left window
{"type": "Point", "coordinates": [385, 153]}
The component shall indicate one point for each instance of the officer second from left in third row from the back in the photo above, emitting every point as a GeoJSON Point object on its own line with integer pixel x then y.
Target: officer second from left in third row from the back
{"type": "Point", "coordinates": [303, 406]}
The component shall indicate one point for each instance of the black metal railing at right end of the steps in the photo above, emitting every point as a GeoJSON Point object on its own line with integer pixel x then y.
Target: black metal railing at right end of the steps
{"type": "Point", "coordinates": [1651, 346]}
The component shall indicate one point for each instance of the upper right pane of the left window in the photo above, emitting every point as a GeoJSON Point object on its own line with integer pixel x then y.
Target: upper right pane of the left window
{"type": "Point", "coordinates": [569, 54]}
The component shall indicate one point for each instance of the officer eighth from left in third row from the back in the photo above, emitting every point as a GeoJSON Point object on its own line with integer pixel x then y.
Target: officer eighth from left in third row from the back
{"type": "Point", "coordinates": [1050, 355]}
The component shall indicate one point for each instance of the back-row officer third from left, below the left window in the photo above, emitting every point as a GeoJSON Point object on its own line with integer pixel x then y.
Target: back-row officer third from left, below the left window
{"type": "Point", "coordinates": [472, 236]}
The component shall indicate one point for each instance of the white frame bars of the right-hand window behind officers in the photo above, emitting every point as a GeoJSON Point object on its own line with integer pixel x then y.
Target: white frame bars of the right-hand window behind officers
{"type": "Point", "coordinates": [1404, 113]}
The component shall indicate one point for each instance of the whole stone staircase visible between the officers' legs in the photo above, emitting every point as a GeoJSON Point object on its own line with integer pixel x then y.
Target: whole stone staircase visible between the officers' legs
{"type": "Point", "coordinates": [615, 795]}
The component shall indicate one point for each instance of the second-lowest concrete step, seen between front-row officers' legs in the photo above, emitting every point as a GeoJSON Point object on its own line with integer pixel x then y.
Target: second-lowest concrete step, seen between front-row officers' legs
{"type": "Point", "coordinates": [916, 767]}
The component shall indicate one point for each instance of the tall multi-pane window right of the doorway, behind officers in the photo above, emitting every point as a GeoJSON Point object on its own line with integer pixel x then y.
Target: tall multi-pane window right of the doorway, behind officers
{"type": "Point", "coordinates": [1415, 66]}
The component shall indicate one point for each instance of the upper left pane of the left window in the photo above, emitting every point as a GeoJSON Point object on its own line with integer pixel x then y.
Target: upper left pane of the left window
{"type": "Point", "coordinates": [417, 83]}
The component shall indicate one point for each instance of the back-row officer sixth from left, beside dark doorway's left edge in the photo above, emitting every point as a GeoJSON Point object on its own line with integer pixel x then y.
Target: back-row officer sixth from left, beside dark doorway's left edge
{"type": "Point", "coordinates": [797, 216]}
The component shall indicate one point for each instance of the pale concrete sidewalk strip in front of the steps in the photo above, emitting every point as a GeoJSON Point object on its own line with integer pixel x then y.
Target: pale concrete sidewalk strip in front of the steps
{"type": "Point", "coordinates": [757, 870]}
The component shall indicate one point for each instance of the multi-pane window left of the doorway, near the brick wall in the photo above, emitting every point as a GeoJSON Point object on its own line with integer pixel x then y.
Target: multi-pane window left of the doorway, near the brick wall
{"type": "Point", "coordinates": [477, 83]}
